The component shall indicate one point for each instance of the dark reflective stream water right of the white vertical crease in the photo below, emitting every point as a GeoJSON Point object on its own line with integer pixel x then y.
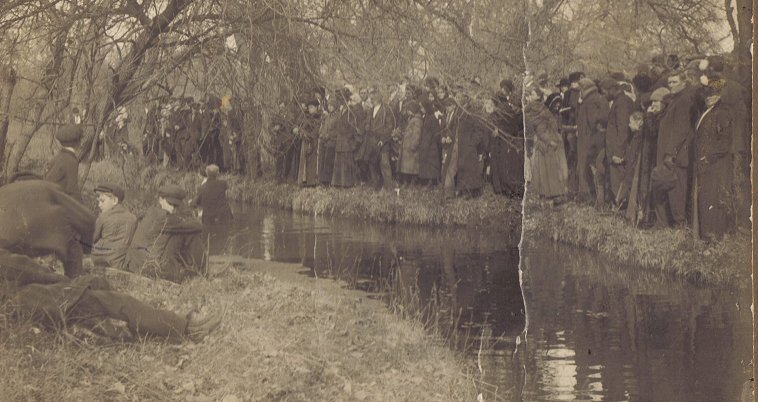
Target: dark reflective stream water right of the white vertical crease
{"type": "Point", "coordinates": [599, 331]}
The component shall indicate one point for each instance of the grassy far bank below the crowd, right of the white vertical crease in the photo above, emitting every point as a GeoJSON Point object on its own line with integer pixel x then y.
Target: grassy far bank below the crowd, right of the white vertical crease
{"type": "Point", "coordinates": [668, 251]}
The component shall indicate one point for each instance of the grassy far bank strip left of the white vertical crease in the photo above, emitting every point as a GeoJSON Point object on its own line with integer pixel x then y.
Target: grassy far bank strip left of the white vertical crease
{"type": "Point", "coordinates": [413, 205]}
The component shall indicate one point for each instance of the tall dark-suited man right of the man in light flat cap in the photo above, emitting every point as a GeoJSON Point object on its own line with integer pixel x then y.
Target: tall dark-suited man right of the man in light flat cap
{"type": "Point", "coordinates": [675, 135]}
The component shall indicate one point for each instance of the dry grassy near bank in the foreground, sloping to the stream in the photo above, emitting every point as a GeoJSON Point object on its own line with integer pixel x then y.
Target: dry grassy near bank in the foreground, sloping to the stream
{"type": "Point", "coordinates": [281, 339]}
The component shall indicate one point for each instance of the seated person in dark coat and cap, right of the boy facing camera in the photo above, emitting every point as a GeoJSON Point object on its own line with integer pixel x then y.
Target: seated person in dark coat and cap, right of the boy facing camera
{"type": "Point", "coordinates": [167, 243]}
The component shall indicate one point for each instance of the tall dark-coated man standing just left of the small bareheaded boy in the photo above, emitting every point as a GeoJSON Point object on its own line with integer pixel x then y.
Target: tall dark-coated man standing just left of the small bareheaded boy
{"type": "Point", "coordinates": [617, 138]}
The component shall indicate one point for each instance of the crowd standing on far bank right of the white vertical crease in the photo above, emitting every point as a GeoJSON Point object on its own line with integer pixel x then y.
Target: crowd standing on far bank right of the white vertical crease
{"type": "Point", "coordinates": [665, 148]}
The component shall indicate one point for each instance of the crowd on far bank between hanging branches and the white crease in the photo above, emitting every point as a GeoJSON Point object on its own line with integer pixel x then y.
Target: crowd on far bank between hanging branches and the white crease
{"type": "Point", "coordinates": [458, 137]}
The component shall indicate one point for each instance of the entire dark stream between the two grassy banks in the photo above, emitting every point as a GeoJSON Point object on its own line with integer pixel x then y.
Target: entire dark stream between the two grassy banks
{"type": "Point", "coordinates": [597, 331]}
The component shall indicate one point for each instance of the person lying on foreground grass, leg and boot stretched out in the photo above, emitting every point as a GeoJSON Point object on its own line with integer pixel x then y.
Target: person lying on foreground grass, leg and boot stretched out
{"type": "Point", "coordinates": [56, 301]}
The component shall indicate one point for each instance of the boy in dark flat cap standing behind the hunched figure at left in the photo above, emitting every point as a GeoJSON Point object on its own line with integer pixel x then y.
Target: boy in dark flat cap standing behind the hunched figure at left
{"type": "Point", "coordinates": [64, 168]}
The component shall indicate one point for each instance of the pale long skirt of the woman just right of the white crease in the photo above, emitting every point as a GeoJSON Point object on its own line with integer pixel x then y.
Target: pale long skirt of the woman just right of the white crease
{"type": "Point", "coordinates": [549, 172]}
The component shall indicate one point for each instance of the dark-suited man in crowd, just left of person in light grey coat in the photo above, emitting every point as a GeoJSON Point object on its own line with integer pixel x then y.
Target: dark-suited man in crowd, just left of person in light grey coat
{"type": "Point", "coordinates": [376, 149]}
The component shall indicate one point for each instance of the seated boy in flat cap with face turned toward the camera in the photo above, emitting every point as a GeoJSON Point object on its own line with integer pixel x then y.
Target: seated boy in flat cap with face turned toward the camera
{"type": "Point", "coordinates": [113, 227]}
